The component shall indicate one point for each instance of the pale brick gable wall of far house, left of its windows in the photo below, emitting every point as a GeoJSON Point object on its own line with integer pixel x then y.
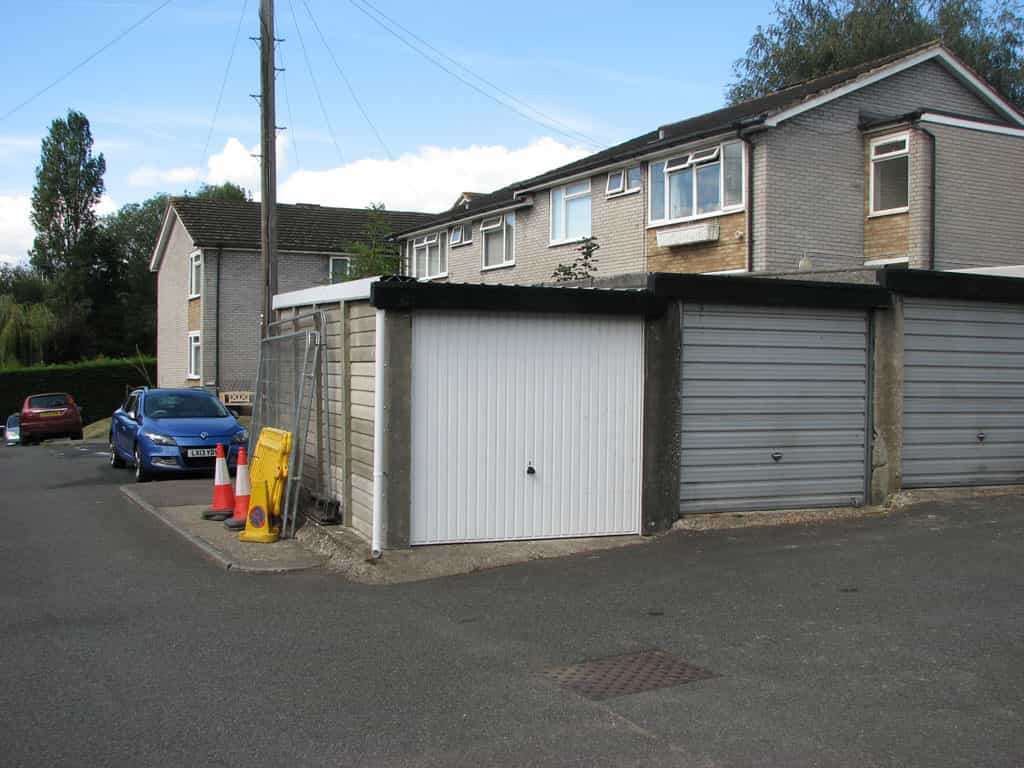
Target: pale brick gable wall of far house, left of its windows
{"type": "Point", "coordinates": [173, 310]}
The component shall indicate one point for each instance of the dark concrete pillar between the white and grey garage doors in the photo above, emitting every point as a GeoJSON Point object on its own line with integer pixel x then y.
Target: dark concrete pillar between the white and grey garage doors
{"type": "Point", "coordinates": [662, 420]}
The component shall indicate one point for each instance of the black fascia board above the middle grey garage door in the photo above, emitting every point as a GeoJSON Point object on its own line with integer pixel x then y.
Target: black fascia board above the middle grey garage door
{"type": "Point", "coordinates": [724, 289]}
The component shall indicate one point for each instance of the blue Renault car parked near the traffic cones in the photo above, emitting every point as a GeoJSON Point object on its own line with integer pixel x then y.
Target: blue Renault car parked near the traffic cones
{"type": "Point", "coordinates": [174, 433]}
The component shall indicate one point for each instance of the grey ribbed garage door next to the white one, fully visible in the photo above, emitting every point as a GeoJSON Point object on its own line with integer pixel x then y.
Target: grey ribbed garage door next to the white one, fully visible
{"type": "Point", "coordinates": [775, 408]}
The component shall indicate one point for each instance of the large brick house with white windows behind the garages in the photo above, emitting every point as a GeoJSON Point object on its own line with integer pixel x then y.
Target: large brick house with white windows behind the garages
{"type": "Point", "coordinates": [893, 162]}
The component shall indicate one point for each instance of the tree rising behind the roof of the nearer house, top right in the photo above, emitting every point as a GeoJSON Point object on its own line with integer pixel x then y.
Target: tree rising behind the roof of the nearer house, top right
{"type": "Point", "coordinates": [810, 38]}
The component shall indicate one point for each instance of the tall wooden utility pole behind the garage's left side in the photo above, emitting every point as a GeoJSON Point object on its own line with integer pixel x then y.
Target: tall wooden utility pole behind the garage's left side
{"type": "Point", "coordinates": [269, 165]}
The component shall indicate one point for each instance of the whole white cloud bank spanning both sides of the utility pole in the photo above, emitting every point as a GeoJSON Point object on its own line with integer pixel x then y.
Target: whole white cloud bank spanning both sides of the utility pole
{"type": "Point", "coordinates": [430, 180]}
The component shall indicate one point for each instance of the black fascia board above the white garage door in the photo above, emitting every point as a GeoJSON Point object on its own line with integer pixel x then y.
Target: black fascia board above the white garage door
{"type": "Point", "coordinates": [412, 294]}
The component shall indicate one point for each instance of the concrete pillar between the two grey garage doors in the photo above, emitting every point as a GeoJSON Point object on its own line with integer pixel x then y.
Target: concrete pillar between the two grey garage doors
{"type": "Point", "coordinates": [887, 402]}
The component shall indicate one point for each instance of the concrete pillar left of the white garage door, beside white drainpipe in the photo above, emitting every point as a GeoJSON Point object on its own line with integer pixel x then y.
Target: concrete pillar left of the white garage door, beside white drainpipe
{"type": "Point", "coordinates": [398, 426]}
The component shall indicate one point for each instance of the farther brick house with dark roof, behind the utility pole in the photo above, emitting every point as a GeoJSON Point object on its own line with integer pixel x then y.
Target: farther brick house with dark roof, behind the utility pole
{"type": "Point", "coordinates": [208, 282]}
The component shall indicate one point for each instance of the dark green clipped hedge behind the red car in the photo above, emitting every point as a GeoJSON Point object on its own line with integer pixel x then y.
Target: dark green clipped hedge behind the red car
{"type": "Point", "coordinates": [98, 387]}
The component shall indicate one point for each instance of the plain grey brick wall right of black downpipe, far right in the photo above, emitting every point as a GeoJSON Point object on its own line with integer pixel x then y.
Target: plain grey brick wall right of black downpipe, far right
{"type": "Point", "coordinates": [980, 211]}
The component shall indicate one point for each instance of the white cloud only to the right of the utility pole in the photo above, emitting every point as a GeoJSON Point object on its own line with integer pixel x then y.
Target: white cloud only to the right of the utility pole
{"type": "Point", "coordinates": [431, 180]}
